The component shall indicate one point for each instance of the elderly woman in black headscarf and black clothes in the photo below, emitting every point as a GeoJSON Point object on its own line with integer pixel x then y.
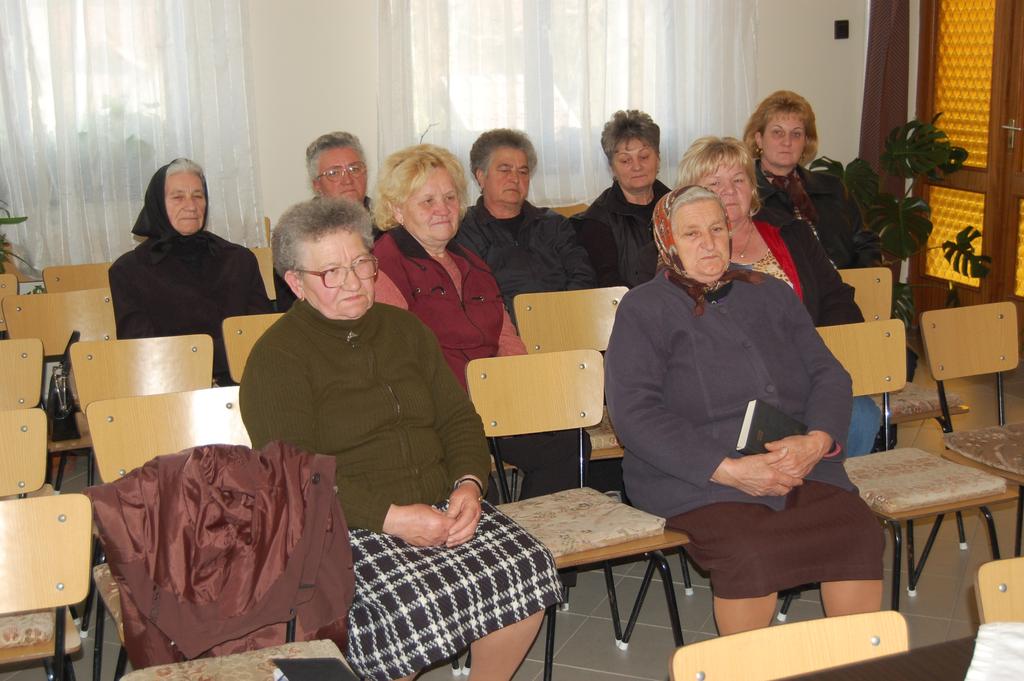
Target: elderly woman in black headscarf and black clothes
{"type": "Point", "coordinates": [183, 279]}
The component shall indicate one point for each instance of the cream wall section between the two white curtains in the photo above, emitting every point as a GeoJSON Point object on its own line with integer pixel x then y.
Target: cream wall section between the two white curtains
{"type": "Point", "coordinates": [314, 71]}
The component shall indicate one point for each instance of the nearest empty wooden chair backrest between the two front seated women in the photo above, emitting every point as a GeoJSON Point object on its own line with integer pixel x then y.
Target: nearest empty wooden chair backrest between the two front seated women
{"type": "Point", "coordinates": [531, 394]}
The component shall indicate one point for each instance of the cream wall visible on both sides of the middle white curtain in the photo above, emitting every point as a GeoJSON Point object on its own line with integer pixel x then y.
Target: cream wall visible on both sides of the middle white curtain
{"type": "Point", "coordinates": [315, 70]}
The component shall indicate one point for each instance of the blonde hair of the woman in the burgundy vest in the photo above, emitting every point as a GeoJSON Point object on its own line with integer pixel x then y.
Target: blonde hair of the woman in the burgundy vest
{"type": "Point", "coordinates": [405, 173]}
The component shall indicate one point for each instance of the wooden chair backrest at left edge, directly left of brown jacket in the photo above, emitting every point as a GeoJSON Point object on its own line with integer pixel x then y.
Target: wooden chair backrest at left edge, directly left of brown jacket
{"type": "Point", "coordinates": [48, 542]}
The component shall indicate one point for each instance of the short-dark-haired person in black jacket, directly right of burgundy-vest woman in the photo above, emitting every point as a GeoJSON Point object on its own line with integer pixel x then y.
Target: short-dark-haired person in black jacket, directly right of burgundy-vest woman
{"type": "Point", "coordinates": [529, 249]}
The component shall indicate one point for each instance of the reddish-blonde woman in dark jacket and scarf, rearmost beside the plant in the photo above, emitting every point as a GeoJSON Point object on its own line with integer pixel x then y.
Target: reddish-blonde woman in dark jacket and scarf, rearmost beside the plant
{"type": "Point", "coordinates": [782, 135]}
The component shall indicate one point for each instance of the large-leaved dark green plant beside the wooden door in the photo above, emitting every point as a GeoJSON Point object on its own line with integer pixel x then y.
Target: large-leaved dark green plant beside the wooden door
{"type": "Point", "coordinates": [915, 152]}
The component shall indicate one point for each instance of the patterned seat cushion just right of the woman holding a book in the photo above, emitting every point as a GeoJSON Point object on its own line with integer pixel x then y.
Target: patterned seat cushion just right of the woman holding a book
{"type": "Point", "coordinates": [908, 479]}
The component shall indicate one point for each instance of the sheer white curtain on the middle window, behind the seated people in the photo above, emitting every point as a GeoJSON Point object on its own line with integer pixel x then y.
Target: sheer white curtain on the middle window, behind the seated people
{"type": "Point", "coordinates": [558, 70]}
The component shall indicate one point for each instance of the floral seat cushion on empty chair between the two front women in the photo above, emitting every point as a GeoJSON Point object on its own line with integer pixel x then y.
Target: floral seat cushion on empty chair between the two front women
{"type": "Point", "coordinates": [581, 520]}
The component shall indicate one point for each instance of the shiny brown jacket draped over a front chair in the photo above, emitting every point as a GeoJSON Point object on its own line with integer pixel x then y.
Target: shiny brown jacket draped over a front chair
{"type": "Point", "coordinates": [215, 549]}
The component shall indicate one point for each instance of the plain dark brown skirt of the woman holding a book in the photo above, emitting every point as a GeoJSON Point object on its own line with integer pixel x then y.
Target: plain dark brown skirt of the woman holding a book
{"type": "Point", "coordinates": [825, 534]}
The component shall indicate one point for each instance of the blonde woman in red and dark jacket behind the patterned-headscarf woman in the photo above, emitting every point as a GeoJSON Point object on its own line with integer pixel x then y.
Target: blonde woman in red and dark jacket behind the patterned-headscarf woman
{"type": "Point", "coordinates": [791, 253]}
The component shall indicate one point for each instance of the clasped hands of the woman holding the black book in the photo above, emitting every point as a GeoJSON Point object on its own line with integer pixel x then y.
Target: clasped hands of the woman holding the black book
{"type": "Point", "coordinates": [778, 472]}
